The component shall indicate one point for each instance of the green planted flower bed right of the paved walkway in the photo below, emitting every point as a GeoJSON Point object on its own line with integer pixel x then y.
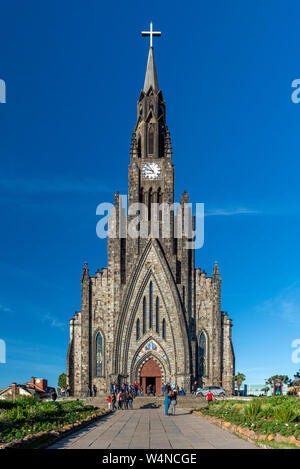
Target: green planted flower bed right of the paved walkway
{"type": "Point", "coordinates": [262, 419]}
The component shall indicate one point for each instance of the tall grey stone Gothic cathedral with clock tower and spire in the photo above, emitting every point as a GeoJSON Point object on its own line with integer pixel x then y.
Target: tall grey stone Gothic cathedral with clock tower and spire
{"type": "Point", "coordinates": [150, 315]}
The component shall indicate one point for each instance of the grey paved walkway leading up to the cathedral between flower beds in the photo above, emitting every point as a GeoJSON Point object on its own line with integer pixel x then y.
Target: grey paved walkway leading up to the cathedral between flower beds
{"type": "Point", "coordinates": [150, 429]}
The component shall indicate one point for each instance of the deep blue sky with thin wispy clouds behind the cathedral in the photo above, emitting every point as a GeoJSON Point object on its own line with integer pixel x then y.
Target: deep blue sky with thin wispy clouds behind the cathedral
{"type": "Point", "coordinates": [73, 72]}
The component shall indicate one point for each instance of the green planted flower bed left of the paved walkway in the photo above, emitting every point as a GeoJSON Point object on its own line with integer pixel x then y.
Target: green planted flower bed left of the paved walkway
{"type": "Point", "coordinates": [29, 419]}
